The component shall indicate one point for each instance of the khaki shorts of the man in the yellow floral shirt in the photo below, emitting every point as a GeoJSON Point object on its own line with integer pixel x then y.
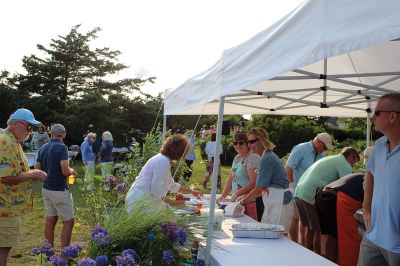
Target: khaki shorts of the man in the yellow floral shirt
{"type": "Point", "coordinates": [10, 231]}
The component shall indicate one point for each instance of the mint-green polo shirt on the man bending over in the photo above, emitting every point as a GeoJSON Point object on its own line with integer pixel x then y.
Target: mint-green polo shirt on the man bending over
{"type": "Point", "coordinates": [320, 174]}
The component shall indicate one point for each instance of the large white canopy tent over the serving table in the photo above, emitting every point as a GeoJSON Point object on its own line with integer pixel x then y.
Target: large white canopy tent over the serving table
{"type": "Point", "coordinates": [325, 58]}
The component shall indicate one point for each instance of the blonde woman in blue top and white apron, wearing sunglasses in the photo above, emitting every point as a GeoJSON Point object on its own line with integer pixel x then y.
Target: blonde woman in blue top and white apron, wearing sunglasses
{"type": "Point", "coordinates": [272, 182]}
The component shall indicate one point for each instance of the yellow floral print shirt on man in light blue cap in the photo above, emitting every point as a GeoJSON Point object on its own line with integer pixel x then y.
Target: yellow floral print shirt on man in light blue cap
{"type": "Point", "coordinates": [15, 200]}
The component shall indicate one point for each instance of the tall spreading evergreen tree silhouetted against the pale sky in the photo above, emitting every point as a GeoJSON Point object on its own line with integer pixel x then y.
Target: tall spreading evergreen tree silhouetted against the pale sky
{"type": "Point", "coordinates": [70, 69]}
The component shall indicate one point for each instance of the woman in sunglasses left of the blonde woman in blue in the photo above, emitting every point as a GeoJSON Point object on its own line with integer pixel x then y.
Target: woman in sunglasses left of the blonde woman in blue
{"type": "Point", "coordinates": [243, 175]}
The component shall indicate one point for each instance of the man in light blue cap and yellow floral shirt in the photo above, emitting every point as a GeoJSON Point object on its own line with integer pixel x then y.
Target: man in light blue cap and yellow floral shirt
{"type": "Point", "coordinates": [15, 179]}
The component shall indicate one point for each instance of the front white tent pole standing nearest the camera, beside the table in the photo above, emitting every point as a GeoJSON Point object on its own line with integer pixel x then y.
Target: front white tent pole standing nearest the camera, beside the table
{"type": "Point", "coordinates": [214, 181]}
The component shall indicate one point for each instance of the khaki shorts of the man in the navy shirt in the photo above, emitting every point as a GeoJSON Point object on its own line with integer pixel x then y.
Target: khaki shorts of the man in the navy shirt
{"type": "Point", "coordinates": [58, 203]}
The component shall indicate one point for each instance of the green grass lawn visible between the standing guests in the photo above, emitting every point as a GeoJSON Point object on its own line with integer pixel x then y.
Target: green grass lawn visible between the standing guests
{"type": "Point", "coordinates": [33, 224]}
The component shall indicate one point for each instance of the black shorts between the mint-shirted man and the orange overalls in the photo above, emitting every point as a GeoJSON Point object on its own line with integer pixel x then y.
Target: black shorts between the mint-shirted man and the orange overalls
{"type": "Point", "coordinates": [325, 203]}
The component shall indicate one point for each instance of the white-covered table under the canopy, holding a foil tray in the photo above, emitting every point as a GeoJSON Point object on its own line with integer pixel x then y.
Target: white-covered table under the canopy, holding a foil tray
{"type": "Point", "coordinates": [227, 250]}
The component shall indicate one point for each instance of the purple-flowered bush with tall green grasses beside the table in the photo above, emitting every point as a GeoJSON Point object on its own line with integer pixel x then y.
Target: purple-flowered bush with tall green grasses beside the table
{"type": "Point", "coordinates": [144, 236]}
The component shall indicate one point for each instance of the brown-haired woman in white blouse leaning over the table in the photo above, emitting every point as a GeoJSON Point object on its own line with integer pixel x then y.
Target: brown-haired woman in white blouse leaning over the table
{"type": "Point", "coordinates": [155, 179]}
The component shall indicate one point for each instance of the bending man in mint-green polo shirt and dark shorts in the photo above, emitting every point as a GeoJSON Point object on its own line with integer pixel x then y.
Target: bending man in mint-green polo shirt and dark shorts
{"type": "Point", "coordinates": [317, 176]}
